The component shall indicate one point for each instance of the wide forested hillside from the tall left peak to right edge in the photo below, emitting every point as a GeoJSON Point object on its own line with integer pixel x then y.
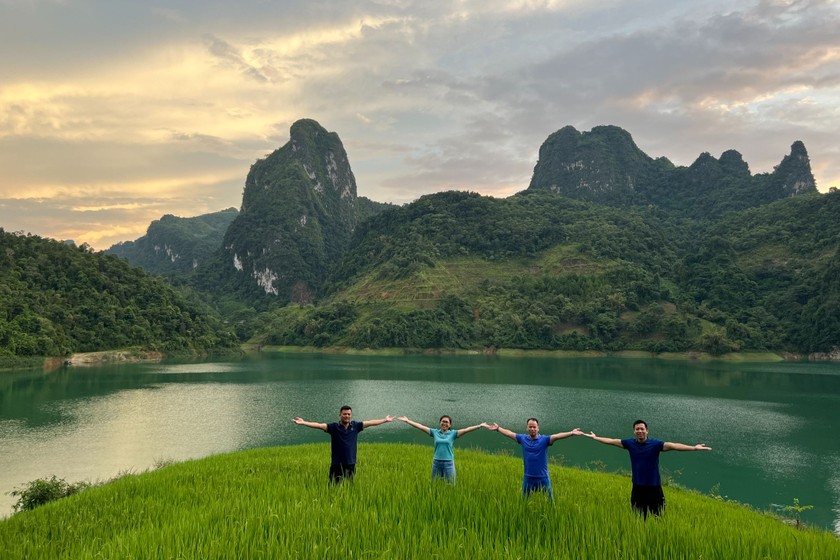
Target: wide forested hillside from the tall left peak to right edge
{"type": "Point", "coordinates": [541, 271]}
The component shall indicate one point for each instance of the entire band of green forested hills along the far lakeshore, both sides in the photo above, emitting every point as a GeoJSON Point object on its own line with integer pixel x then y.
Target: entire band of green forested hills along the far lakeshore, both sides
{"type": "Point", "coordinates": [458, 270]}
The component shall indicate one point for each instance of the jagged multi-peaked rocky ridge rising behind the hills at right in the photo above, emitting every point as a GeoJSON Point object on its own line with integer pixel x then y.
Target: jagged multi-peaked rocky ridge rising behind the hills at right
{"type": "Point", "coordinates": [605, 166]}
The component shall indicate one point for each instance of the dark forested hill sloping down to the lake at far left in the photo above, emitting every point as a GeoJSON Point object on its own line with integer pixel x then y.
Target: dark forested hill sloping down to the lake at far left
{"type": "Point", "coordinates": [56, 299]}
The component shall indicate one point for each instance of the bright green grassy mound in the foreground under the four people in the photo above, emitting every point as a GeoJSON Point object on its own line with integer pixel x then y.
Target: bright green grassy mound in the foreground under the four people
{"type": "Point", "coordinates": [276, 503]}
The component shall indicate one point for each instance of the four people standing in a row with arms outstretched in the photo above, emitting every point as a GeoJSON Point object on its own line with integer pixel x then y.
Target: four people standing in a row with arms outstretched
{"type": "Point", "coordinates": [646, 497]}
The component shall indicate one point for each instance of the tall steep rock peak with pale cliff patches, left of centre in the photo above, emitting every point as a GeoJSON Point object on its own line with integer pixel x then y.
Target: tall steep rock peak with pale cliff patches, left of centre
{"type": "Point", "coordinates": [299, 209]}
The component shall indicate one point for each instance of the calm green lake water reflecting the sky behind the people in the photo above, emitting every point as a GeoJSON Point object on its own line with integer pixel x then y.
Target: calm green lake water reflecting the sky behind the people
{"type": "Point", "coordinates": [773, 427]}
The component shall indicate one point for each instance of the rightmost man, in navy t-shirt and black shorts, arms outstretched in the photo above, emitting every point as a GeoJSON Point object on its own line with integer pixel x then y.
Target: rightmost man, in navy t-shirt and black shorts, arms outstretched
{"type": "Point", "coordinates": [647, 496]}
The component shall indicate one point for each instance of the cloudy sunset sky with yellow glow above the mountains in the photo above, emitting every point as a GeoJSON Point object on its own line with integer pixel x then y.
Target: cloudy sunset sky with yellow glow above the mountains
{"type": "Point", "coordinates": [116, 112]}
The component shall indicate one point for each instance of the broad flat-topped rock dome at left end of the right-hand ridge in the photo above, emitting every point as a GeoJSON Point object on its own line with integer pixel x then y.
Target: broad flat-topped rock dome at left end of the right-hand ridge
{"type": "Point", "coordinates": [603, 165]}
